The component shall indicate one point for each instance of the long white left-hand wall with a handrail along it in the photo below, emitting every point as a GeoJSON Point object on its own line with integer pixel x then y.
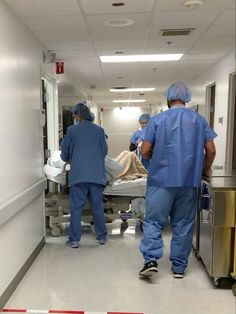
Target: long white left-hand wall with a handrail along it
{"type": "Point", "coordinates": [21, 175]}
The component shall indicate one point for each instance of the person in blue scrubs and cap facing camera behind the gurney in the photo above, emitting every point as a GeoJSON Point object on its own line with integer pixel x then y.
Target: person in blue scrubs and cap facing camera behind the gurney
{"type": "Point", "coordinates": [136, 139]}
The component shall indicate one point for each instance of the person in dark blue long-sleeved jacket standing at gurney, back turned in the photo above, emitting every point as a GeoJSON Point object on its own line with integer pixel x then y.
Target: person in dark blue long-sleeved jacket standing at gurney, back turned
{"type": "Point", "coordinates": [84, 148]}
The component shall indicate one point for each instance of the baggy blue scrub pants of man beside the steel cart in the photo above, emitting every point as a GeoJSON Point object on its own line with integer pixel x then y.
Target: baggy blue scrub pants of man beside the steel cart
{"type": "Point", "coordinates": [180, 205]}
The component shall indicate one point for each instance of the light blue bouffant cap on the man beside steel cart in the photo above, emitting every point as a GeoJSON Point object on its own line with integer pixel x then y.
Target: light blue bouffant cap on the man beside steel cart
{"type": "Point", "coordinates": [178, 90]}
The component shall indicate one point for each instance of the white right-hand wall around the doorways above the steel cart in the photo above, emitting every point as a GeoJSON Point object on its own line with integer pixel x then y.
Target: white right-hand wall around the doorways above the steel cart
{"type": "Point", "coordinates": [219, 73]}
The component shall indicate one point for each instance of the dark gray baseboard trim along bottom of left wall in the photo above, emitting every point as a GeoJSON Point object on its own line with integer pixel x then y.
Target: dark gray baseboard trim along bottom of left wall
{"type": "Point", "coordinates": [12, 286]}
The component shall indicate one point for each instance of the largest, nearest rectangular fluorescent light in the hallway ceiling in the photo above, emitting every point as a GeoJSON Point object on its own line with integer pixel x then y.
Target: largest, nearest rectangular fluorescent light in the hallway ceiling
{"type": "Point", "coordinates": [142, 58]}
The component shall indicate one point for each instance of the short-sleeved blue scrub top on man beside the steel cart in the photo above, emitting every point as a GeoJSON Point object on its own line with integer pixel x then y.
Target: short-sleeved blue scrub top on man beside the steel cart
{"type": "Point", "coordinates": [178, 137]}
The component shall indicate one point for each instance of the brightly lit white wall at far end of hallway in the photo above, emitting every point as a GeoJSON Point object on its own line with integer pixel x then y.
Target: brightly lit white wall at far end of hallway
{"type": "Point", "coordinates": [119, 125]}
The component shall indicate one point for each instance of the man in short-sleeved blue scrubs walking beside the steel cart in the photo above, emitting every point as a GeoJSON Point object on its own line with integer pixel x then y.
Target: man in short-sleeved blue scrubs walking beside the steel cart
{"type": "Point", "coordinates": [180, 144]}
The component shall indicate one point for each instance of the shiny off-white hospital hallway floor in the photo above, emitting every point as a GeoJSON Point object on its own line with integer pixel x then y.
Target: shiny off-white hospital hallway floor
{"type": "Point", "coordinates": [101, 278]}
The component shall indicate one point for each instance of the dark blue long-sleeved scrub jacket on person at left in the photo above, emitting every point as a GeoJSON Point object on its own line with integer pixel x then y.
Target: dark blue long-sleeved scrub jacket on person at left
{"type": "Point", "coordinates": [85, 148]}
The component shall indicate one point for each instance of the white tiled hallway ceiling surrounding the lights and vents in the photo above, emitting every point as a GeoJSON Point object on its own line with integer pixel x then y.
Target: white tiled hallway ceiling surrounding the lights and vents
{"type": "Point", "coordinates": [79, 40]}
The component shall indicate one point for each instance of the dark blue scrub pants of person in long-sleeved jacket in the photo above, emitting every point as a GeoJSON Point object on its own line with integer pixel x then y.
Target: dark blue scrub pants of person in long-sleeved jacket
{"type": "Point", "coordinates": [79, 193]}
